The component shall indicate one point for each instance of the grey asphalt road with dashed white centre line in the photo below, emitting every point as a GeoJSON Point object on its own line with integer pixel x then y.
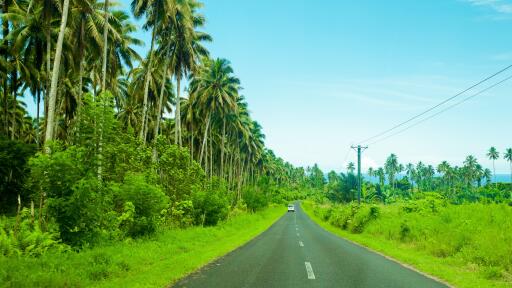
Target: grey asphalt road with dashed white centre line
{"type": "Point", "coordinates": [296, 252]}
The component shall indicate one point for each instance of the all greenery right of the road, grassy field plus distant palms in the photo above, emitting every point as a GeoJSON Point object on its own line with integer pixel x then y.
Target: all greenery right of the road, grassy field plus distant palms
{"type": "Point", "coordinates": [454, 223]}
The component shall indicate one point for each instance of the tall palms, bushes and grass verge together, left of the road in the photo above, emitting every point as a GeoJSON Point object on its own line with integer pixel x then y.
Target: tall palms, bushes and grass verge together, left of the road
{"type": "Point", "coordinates": [124, 167]}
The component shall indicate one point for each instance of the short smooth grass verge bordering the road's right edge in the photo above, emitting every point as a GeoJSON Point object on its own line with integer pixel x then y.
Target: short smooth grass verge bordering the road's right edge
{"type": "Point", "coordinates": [454, 270]}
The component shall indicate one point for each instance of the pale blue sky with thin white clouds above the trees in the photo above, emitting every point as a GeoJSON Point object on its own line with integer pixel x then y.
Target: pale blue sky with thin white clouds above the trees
{"type": "Point", "coordinates": [320, 75]}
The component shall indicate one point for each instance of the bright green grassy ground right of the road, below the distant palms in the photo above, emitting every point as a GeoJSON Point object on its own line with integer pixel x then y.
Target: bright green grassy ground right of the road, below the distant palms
{"type": "Point", "coordinates": [466, 245]}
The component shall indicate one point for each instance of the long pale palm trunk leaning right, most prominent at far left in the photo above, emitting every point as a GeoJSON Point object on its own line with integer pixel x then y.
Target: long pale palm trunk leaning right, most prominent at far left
{"type": "Point", "coordinates": [55, 73]}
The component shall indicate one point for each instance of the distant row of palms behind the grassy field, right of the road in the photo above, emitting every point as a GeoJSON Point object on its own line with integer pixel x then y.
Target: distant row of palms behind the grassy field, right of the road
{"type": "Point", "coordinates": [395, 182]}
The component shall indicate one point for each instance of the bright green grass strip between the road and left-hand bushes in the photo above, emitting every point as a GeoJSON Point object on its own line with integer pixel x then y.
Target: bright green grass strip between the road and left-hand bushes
{"type": "Point", "coordinates": [155, 262]}
